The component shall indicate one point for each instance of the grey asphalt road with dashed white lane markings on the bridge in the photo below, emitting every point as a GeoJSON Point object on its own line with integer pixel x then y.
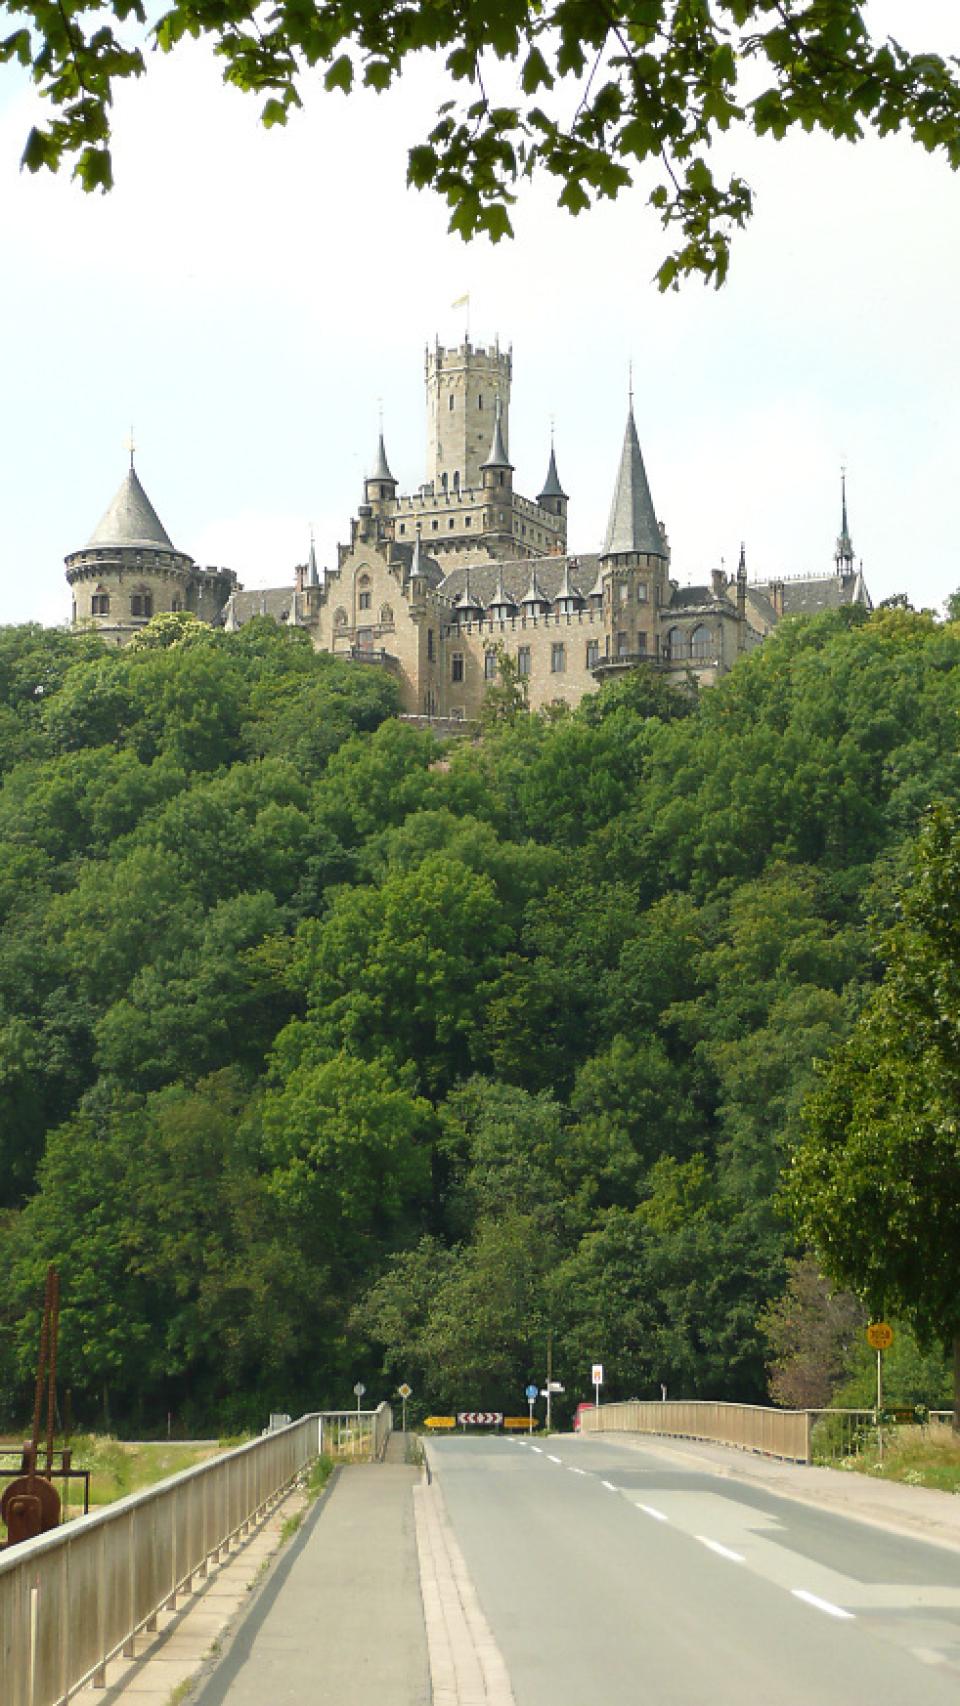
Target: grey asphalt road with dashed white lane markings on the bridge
{"type": "Point", "coordinates": [615, 1577]}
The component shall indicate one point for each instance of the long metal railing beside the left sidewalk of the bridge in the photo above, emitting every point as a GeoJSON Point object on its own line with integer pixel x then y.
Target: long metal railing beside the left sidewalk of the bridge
{"type": "Point", "coordinates": [78, 1598]}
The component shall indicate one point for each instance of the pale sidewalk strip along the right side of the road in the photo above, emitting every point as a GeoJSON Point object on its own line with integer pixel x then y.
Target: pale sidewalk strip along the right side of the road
{"type": "Point", "coordinates": [920, 1512]}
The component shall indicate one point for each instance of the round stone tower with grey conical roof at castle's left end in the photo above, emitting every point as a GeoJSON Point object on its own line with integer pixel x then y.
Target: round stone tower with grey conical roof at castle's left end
{"type": "Point", "coordinates": [130, 571]}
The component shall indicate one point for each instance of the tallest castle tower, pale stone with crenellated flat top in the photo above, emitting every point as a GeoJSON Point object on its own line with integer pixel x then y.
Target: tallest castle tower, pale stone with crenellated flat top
{"type": "Point", "coordinates": [463, 388]}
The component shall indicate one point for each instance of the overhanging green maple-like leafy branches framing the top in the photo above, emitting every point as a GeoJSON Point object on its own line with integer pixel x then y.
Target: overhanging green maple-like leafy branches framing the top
{"type": "Point", "coordinates": [594, 96]}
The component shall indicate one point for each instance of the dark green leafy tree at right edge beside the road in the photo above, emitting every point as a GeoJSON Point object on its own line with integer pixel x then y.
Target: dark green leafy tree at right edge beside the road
{"type": "Point", "coordinates": [876, 1181]}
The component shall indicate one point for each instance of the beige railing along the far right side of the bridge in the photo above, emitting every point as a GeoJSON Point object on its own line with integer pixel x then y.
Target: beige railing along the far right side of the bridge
{"type": "Point", "coordinates": [751, 1427]}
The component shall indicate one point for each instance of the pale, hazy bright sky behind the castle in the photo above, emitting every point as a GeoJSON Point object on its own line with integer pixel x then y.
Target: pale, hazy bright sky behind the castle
{"type": "Point", "coordinates": [250, 301]}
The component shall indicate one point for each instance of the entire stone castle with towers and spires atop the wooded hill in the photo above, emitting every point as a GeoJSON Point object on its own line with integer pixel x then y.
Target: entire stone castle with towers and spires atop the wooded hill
{"type": "Point", "coordinates": [437, 586]}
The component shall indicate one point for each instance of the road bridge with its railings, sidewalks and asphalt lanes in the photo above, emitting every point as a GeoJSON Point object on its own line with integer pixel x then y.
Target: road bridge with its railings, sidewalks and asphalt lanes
{"type": "Point", "coordinates": [616, 1565]}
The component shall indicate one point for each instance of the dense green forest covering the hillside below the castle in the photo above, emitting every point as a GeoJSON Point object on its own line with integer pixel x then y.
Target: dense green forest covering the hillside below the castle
{"type": "Point", "coordinates": [335, 1053]}
